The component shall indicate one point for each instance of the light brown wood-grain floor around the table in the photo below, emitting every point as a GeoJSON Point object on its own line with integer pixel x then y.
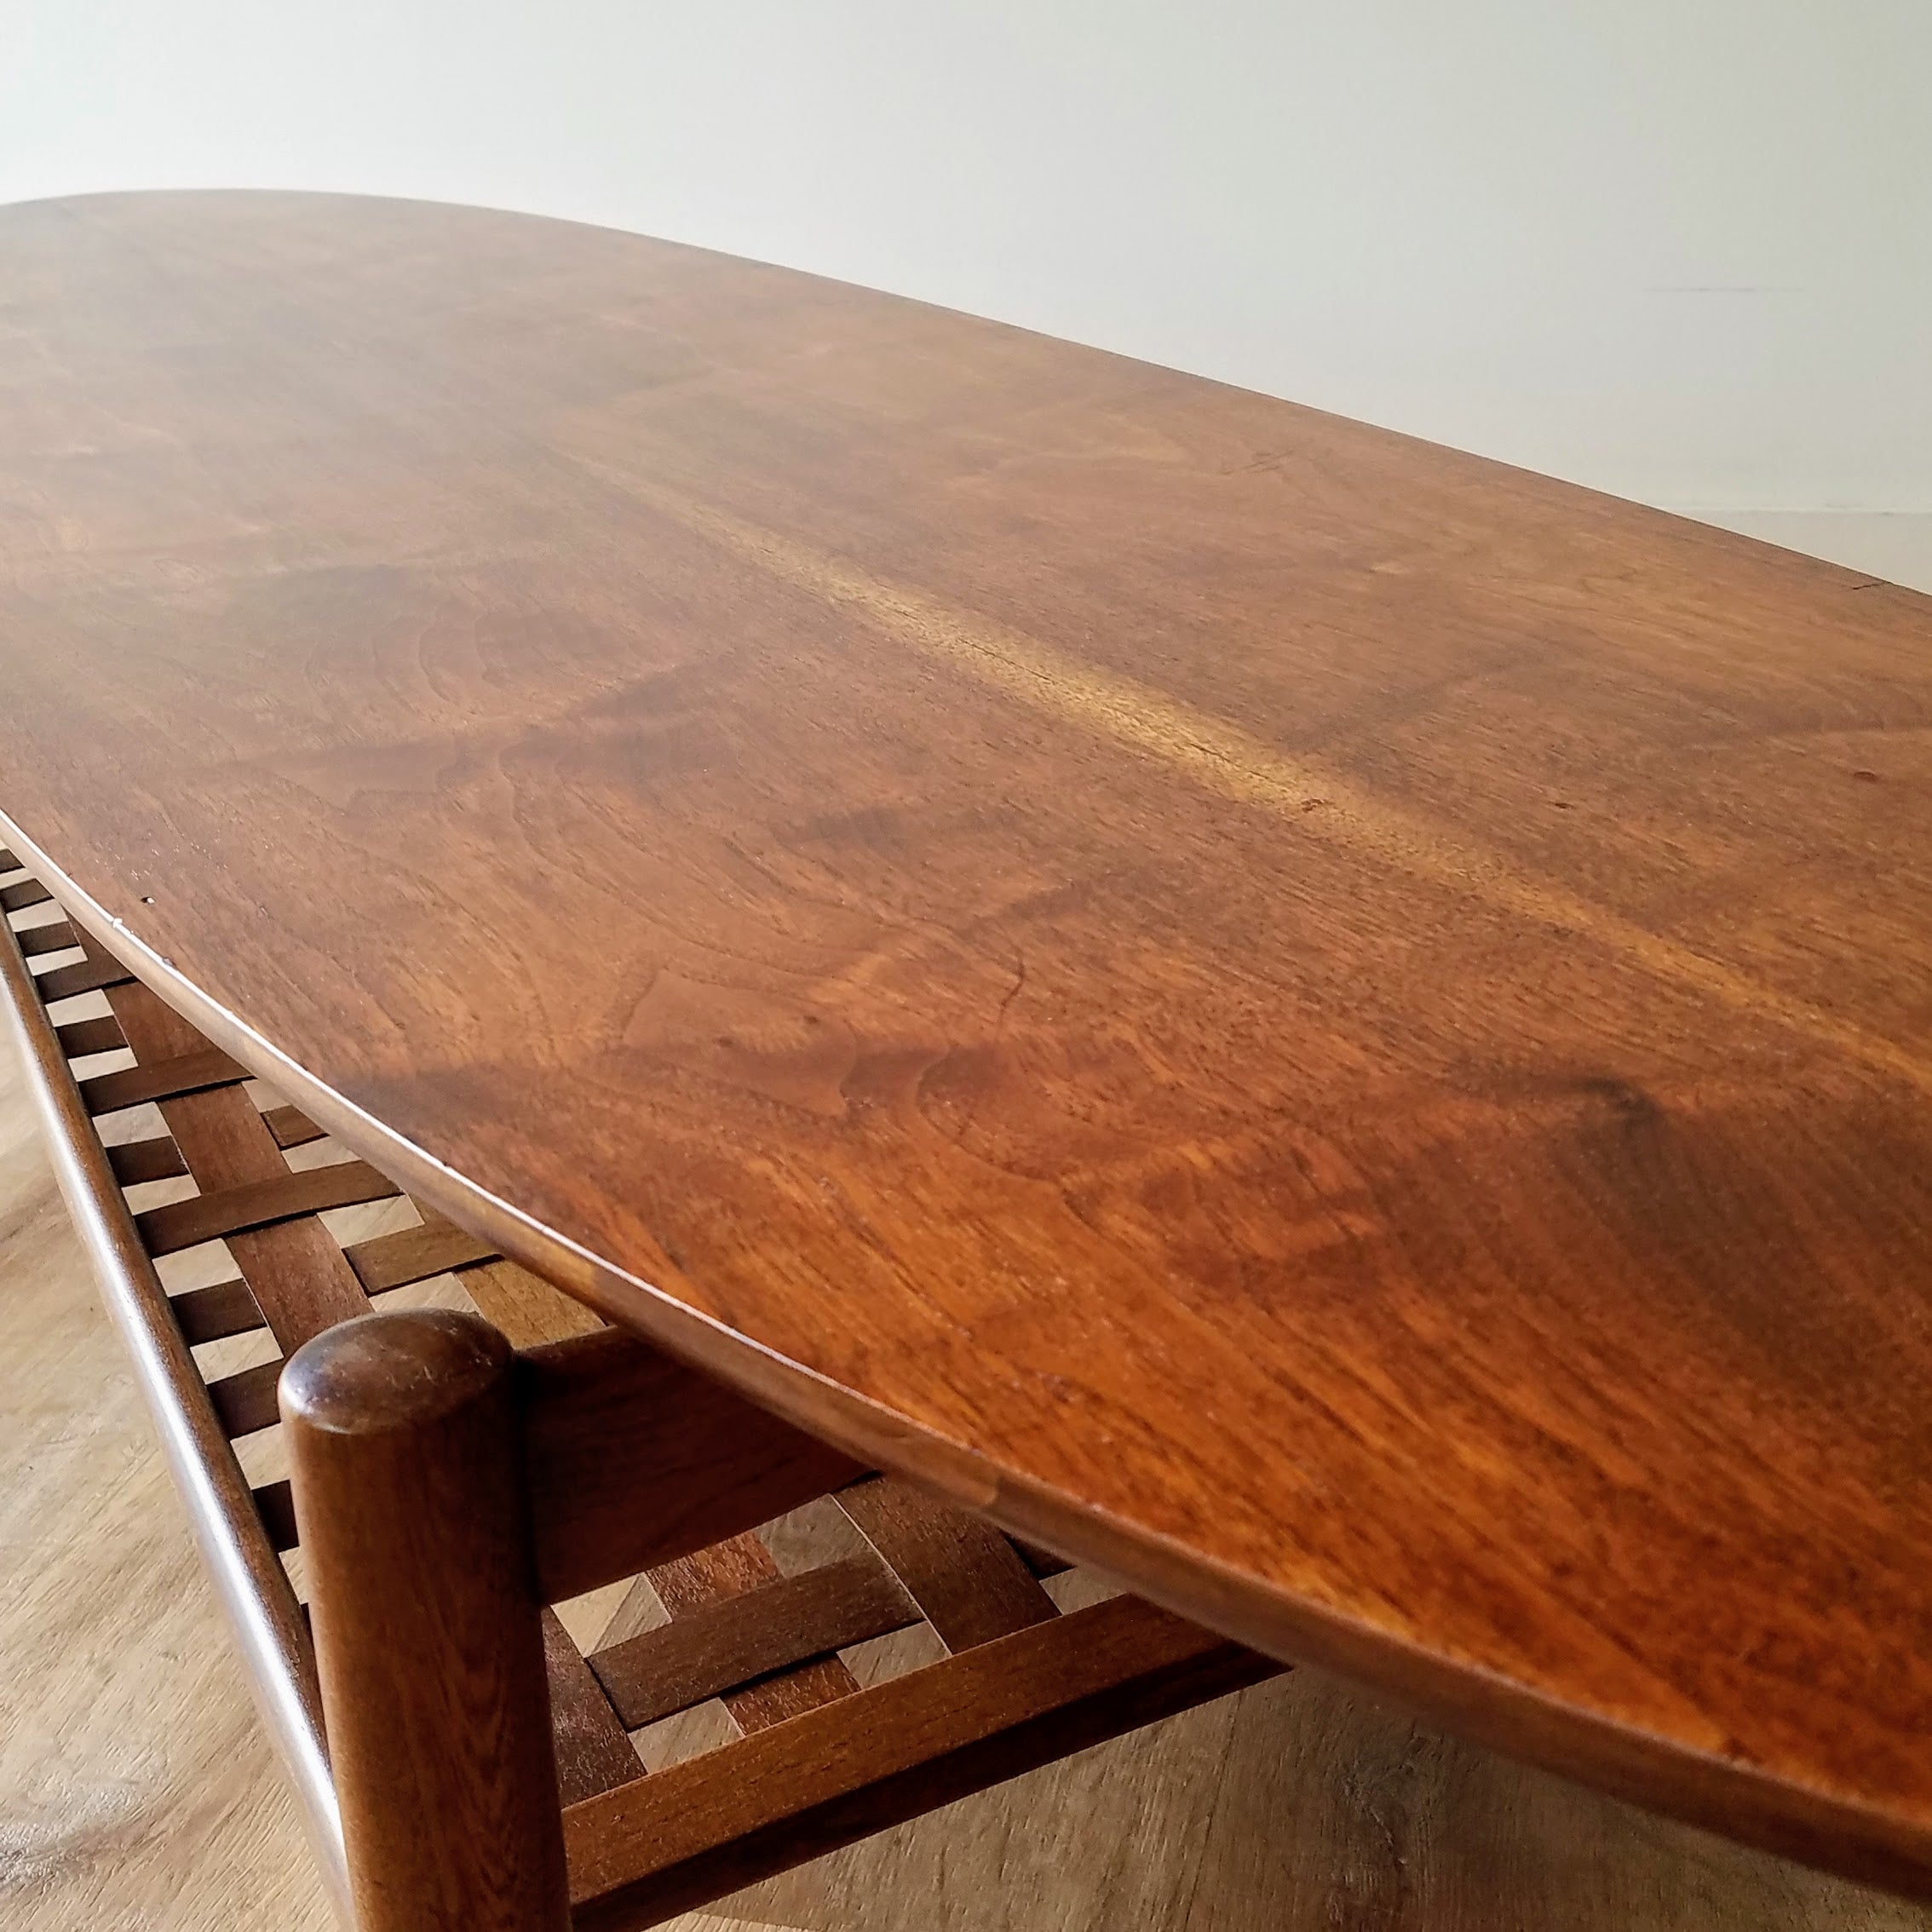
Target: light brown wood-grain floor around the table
{"type": "Point", "coordinates": [136, 1788]}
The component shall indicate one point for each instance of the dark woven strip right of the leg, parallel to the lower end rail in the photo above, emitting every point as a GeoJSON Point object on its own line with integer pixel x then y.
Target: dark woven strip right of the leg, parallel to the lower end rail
{"type": "Point", "coordinates": [724, 1645]}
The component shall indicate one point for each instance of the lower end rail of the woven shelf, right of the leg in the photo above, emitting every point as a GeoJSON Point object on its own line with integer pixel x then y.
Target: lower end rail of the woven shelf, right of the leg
{"type": "Point", "coordinates": [706, 1827]}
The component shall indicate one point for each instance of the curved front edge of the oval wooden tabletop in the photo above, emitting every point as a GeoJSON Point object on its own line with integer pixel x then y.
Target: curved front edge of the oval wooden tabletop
{"type": "Point", "coordinates": [1649, 1769]}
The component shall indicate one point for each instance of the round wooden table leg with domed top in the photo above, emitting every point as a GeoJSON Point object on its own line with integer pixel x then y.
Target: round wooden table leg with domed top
{"type": "Point", "coordinates": [403, 1440]}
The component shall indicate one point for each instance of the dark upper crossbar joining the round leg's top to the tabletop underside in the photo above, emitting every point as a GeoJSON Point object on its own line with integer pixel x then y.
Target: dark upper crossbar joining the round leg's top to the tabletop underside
{"type": "Point", "coordinates": [637, 1460]}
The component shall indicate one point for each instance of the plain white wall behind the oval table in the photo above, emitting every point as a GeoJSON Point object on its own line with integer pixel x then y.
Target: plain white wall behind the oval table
{"type": "Point", "coordinates": [1674, 248]}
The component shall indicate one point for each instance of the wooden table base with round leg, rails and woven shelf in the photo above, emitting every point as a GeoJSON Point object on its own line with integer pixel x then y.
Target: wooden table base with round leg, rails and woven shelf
{"type": "Point", "coordinates": [461, 1757]}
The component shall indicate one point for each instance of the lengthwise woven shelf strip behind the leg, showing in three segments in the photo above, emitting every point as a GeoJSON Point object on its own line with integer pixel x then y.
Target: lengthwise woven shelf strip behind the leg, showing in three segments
{"type": "Point", "coordinates": [295, 1268]}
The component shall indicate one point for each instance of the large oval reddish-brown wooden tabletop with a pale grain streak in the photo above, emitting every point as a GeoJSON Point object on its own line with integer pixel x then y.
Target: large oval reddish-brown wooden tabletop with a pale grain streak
{"type": "Point", "coordinates": [1330, 1025]}
